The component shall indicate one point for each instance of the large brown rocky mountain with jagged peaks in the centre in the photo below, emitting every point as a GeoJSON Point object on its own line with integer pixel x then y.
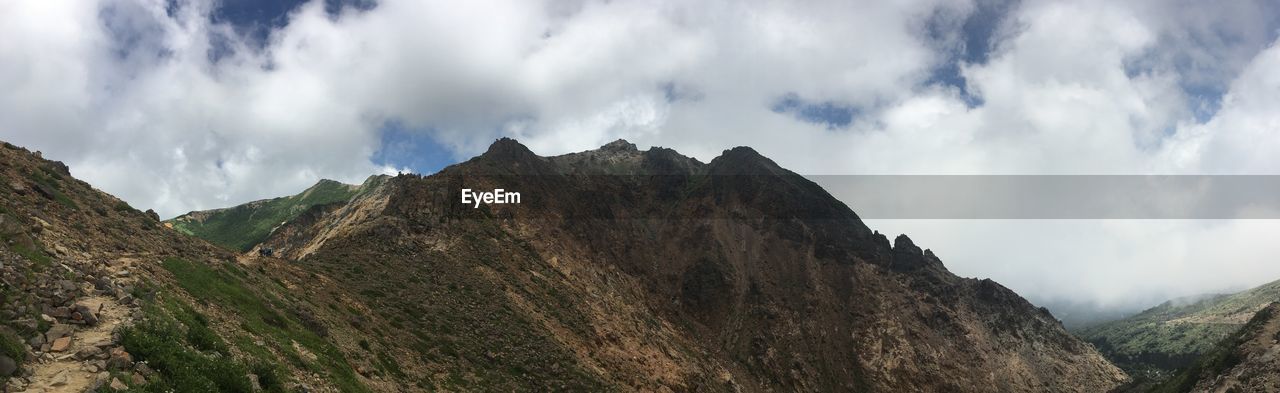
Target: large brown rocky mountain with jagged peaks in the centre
{"type": "Point", "coordinates": [651, 271]}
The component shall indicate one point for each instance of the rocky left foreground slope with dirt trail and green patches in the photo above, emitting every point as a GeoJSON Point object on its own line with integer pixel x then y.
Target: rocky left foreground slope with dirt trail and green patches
{"type": "Point", "coordinates": [98, 295]}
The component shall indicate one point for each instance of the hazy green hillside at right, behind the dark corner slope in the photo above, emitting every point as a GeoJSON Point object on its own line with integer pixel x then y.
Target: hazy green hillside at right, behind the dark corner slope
{"type": "Point", "coordinates": [1158, 342]}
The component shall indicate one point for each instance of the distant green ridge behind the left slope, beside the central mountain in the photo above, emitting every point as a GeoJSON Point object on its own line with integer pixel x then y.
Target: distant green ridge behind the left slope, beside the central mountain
{"type": "Point", "coordinates": [245, 226]}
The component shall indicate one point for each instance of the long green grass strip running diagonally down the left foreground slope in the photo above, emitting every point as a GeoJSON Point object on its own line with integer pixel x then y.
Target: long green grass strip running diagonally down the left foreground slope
{"type": "Point", "coordinates": [260, 317]}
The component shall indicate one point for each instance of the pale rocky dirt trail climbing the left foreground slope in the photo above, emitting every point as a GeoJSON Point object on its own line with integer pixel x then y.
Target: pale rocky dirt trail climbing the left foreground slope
{"type": "Point", "coordinates": [62, 372]}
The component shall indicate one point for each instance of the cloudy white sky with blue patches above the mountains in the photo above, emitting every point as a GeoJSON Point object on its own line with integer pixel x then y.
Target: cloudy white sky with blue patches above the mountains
{"type": "Point", "coordinates": [182, 106]}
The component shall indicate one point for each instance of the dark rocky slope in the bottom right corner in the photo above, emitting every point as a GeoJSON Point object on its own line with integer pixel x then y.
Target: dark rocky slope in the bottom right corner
{"type": "Point", "coordinates": [1244, 362]}
